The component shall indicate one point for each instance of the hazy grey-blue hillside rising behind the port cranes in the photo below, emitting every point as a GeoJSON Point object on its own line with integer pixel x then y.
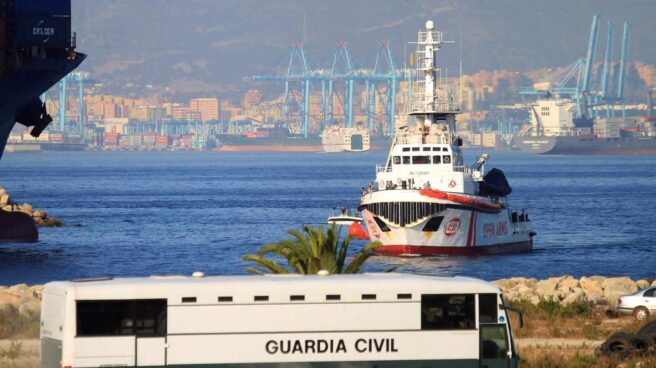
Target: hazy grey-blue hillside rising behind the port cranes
{"type": "Point", "coordinates": [189, 46]}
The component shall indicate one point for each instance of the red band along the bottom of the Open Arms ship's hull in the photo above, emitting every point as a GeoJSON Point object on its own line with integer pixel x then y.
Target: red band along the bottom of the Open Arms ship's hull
{"type": "Point", "coordinates": [423, 250]}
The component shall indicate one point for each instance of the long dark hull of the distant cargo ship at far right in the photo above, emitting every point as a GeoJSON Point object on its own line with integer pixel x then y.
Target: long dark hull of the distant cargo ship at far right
{"type": "Point", "coordinates": [577, 145]}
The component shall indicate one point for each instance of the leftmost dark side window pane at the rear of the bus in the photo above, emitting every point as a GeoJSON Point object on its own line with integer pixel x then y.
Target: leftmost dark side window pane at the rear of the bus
{"type": "Point", "coordinates": [105, 318]}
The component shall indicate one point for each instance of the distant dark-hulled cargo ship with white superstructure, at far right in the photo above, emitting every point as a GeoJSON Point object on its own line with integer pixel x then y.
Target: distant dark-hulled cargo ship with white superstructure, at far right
{"type": "Point", "coordinates": [555, 131]}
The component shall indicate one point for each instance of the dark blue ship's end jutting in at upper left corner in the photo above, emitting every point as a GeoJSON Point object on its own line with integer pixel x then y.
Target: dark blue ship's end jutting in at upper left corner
{"type": "Point", "coordinates": [37, 51]}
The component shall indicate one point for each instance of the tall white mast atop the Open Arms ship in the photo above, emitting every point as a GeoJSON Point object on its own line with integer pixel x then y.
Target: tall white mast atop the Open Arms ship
{"type": "Point", "coordinates": [433, 104]}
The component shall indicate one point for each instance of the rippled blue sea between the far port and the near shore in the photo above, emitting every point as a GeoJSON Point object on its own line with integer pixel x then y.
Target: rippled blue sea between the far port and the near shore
{"type": "Point", "coordinates": [133, 213]}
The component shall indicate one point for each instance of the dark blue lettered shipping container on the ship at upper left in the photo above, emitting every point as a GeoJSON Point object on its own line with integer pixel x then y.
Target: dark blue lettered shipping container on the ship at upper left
{"type": "Point", "coordinates": [43, 31]}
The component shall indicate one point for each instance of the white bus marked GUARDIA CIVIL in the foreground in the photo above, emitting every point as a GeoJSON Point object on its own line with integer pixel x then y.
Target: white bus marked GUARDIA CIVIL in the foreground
{"type": "Point", "coordinates": [368, 320]}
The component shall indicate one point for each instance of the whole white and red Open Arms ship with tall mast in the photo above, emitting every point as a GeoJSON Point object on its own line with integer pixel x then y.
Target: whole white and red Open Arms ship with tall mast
{"type": "Point", "coordinates": [426, 201]}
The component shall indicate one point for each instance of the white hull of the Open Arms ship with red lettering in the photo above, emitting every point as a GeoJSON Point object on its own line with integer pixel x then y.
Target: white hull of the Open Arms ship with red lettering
{"type": "Point", "coordinates": [423, 227]}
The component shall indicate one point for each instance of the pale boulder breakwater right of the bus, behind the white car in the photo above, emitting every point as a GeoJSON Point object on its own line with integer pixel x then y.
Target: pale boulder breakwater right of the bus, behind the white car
{"type": "Point", "coordinates": [592, 290]}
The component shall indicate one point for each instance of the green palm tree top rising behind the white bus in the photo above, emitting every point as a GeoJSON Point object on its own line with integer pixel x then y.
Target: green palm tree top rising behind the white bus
{"type": "Point", "coordinates": [309, 252]}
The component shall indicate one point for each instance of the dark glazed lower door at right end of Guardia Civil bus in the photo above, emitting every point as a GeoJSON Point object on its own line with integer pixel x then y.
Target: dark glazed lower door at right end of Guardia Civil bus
{"type": "Point", "coordinates": [495, 351]}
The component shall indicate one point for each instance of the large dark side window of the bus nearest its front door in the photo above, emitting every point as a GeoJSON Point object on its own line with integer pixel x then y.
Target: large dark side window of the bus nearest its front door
{"type": "Point", "coordinates": [448, 312]}
